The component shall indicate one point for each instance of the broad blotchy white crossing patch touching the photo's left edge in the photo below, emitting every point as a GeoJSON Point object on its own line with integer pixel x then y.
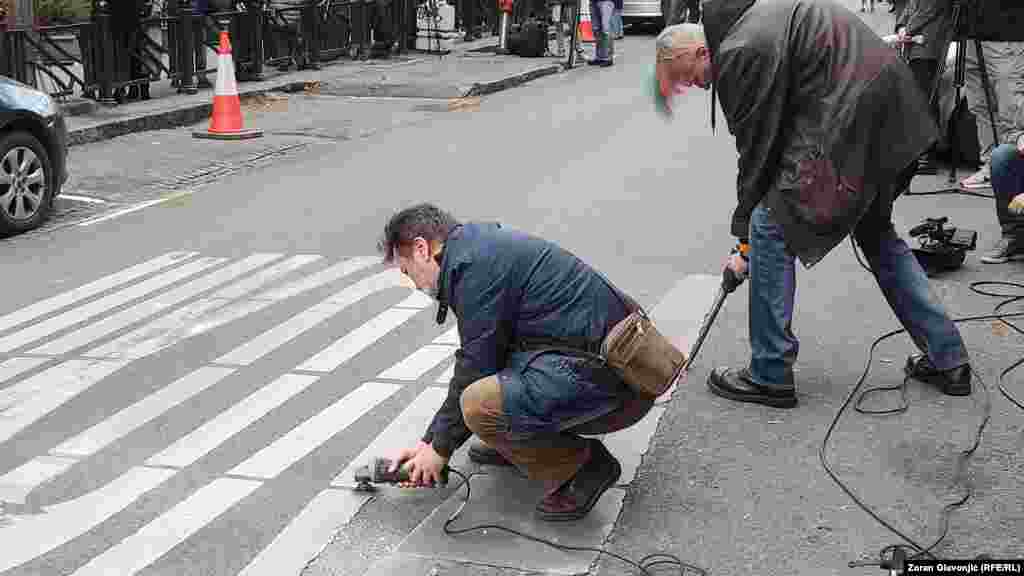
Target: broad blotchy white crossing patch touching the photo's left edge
{"type": "Point", "coordinates": [30, 400]}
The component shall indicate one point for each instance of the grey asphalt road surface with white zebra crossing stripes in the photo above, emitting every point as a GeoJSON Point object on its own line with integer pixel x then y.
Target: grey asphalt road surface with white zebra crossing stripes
{"type": "Point", "coordinates": [198, 407]}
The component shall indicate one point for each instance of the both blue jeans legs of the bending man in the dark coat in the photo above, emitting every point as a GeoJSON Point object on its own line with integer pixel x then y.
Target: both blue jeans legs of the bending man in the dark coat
{"type": "Point", "coordinates": [904, 282]}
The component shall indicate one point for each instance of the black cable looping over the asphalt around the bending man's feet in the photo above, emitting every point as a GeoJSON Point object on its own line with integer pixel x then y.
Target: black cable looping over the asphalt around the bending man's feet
{"type": "Point", "coordinates": [923, 552]}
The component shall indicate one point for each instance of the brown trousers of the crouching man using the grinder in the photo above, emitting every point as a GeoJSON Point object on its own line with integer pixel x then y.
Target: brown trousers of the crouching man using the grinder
{"type": "Point", "coordinates": [551, 459]}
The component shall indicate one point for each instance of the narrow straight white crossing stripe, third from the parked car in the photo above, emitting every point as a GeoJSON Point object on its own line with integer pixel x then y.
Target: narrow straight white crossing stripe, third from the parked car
{"type": "Point", "coordinates": [124, 319]}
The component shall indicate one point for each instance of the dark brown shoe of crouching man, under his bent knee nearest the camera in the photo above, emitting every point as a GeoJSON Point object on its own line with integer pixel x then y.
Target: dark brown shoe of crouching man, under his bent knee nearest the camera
{"type": "Point", "coordinates": [576, 499]}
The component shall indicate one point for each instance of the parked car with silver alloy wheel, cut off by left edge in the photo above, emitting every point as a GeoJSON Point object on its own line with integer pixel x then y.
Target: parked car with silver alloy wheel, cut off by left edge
{"type": "Point", "coordinates": [33, 156]}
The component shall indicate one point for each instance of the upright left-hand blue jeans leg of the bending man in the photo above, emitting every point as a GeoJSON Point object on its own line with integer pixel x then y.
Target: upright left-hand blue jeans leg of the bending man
{"type": "Point", "coordinates": [774, 291]}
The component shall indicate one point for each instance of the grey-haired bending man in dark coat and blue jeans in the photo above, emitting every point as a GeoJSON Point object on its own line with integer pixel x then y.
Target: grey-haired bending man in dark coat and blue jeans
{"type": "Point", "coordinates": [829, 125]}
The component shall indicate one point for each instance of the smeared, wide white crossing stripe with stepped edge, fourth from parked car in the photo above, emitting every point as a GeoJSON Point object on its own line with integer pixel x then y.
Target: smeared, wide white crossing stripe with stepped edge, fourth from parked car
{"type": "Point", "coordinates": [196, 318]}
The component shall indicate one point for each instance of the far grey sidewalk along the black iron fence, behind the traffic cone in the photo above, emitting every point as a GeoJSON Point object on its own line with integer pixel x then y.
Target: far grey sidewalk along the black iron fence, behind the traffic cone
{"type": "Point", "coordinates": [471, 70]}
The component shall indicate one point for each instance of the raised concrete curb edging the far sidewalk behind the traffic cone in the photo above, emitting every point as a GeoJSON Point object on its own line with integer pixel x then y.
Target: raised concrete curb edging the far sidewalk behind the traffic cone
{"type": "Point", "coordinates": [194, 113]}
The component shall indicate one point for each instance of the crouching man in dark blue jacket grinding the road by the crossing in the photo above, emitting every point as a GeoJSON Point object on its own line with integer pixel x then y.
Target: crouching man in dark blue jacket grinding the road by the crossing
{"type": "Point", "coordinates": [516, 299]}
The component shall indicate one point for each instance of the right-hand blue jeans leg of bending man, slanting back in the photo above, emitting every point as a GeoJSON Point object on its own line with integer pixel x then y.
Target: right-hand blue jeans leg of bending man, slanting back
{"type": "Point", "coordinates": [907, 289]}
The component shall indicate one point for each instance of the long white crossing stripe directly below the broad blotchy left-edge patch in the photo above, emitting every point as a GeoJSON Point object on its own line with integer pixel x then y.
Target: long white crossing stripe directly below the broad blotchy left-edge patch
{"type": "Point", "coordinates": [19, 483]}
